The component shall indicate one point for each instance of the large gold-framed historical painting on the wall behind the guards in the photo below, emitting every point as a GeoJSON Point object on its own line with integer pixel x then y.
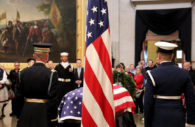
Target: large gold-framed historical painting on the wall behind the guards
{"type": "Point", "coordinates": [24, 22]}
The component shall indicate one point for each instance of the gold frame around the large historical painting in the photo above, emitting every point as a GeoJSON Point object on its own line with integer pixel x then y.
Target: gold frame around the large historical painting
{"type": "Point", "coordinates": [80, 35]}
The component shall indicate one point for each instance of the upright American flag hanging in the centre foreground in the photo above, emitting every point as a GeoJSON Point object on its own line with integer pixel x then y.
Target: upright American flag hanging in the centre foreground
{"type": "Point", "coordinates": [98, 102]}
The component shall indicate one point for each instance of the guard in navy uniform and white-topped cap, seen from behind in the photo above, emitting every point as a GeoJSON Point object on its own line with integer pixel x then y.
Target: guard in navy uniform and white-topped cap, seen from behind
{"type": "Point", "coordinates": [165, 84]}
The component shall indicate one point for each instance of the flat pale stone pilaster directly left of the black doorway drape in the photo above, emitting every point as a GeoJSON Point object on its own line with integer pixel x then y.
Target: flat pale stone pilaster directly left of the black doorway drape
{"type": "Point", "coordinates": [127, 32]}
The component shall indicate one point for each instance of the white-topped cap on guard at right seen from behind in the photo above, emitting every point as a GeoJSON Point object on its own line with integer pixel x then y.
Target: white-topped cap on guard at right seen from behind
{"type": "Point", "coordinates": [165, 47]}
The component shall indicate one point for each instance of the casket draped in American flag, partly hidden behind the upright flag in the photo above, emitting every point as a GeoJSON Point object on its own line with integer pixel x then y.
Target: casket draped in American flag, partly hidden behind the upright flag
{"type": "Point", "coordinates": [71, 104]}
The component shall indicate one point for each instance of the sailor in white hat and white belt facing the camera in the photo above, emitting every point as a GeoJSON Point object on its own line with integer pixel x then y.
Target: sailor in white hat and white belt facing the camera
{"type": "Point", "coordinates": [65, 76]}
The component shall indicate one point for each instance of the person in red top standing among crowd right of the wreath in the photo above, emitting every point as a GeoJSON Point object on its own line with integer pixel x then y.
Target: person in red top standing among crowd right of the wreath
{"type": "Point", "coordinates": [139, 79]}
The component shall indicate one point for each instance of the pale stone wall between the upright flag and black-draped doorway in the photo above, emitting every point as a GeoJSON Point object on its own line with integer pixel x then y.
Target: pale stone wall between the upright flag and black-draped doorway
{"type": "Point", "coordinates": [122, 26]}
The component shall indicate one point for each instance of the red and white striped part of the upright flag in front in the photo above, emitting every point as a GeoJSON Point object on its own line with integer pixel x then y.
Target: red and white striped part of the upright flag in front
{"type": "Point", "coordinates": [98, 101]}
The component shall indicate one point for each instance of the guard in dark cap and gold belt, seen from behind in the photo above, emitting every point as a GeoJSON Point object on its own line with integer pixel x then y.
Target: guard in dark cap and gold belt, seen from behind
{"type": "Point", "coordinates": [38, 86]}
